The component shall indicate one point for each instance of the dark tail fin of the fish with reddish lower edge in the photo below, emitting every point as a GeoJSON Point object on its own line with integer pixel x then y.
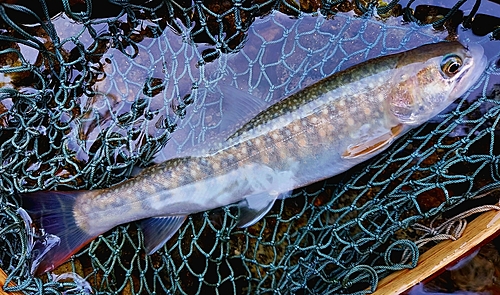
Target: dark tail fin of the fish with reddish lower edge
{"type": "Point", "coordinates": [53, 212]}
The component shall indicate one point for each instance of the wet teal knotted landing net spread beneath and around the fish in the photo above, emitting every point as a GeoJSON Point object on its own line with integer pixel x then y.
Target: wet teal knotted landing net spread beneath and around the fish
{"type": "Point", "coordinates": [91, 91]}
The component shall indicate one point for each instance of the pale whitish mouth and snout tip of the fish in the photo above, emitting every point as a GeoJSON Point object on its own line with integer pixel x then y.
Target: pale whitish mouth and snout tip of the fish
{"type": "Point", "coordinates": [477, 63]}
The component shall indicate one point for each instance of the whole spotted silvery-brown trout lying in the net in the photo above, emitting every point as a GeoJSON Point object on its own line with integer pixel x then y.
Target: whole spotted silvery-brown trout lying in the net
{"type": "Point", "coordinates": [318, 132]}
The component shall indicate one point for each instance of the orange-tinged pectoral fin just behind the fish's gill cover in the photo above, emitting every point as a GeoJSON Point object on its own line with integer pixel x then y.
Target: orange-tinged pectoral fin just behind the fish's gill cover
{"type": "Point", "coordinates": [369, 145]}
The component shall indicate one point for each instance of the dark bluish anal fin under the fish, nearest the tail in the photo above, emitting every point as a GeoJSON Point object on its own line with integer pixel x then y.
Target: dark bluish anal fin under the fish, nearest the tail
{"type": "Point", "coordinates": [158, 230]}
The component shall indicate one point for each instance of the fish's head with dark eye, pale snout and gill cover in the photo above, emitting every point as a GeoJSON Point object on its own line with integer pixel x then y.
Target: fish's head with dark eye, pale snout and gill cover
{"type": "Point", "coordinates": [431, 77]}
